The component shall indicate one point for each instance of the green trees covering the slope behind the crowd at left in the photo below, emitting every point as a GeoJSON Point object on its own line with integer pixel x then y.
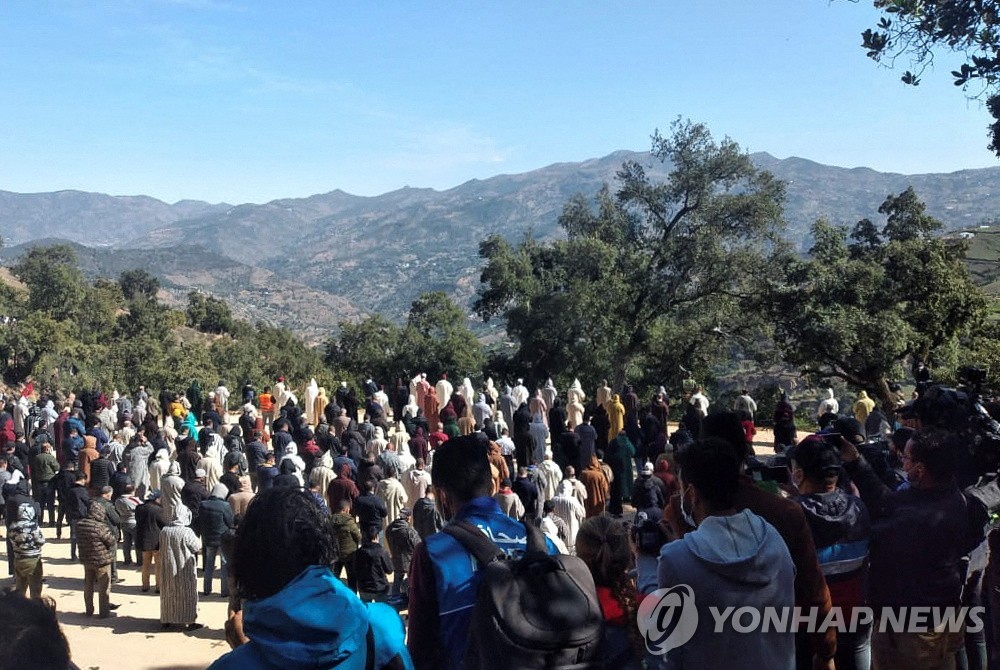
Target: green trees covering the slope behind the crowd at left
{"type": "Point", "coordinates": [116, 333]}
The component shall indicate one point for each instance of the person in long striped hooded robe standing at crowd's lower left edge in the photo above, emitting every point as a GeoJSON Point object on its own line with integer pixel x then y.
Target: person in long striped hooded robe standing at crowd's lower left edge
{"type": "Point", "coordinates": [179, 548]}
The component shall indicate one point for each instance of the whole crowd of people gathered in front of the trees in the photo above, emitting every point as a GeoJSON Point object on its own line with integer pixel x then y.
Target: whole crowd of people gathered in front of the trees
{"type": "Point", "coordinates": [331, 521]}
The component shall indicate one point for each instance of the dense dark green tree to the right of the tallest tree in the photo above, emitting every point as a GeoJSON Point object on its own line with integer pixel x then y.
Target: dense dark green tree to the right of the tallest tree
{"type": "Point", "coordinates": [857, 308]}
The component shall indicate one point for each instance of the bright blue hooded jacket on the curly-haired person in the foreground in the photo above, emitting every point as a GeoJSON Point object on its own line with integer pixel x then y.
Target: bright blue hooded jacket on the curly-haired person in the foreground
{"type": "Point", "coordinates": [317, 623]}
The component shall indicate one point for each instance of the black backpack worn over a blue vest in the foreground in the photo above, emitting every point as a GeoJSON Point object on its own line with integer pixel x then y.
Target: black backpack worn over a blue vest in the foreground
{"type": "Point", "coordinates": [536, 612]}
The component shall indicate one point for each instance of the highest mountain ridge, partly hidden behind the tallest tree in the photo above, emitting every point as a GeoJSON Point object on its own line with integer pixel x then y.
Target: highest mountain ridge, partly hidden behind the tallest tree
{"type": "Point", "coordinates": [381, 252]}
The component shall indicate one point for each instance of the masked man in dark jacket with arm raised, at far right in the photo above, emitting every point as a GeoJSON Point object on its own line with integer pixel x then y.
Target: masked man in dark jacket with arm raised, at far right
{"type": "Point", "coordinates": [919, 536]}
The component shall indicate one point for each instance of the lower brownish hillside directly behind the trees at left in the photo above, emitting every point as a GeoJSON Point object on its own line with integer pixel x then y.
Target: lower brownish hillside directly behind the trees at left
{"type": "Point", "coordinates": [253, 293]}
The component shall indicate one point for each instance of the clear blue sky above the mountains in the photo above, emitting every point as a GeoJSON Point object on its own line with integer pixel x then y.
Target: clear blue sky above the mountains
{"type": "Point", "coordinates": [250, 101]}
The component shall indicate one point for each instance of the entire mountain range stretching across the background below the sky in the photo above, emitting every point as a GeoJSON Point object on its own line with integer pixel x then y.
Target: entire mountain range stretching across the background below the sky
{"type": "Point", "coordinates": [309, 263]}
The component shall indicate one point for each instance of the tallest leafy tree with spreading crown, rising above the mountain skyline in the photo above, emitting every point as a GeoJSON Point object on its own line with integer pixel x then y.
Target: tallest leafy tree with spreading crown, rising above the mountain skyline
{"type": "Point", "coordinates": [650, 278]}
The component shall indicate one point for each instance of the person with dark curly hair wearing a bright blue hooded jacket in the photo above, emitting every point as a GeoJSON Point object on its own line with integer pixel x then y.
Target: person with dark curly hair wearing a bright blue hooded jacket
{"type": "Point", "coordinates": [297, 614]}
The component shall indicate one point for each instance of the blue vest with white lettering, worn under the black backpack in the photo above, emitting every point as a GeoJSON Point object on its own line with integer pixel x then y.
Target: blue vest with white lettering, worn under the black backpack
{"type": "Point", "coordinates": [456, 573]}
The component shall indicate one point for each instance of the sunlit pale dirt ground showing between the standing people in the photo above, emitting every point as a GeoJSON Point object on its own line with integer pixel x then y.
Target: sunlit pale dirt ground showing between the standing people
{"type": "Point", "coordinates": [133, 639]}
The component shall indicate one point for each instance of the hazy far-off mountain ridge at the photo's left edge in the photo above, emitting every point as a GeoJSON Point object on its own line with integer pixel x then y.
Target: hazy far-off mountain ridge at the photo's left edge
{"type": "Point", "coordinates": [91, 218]}
